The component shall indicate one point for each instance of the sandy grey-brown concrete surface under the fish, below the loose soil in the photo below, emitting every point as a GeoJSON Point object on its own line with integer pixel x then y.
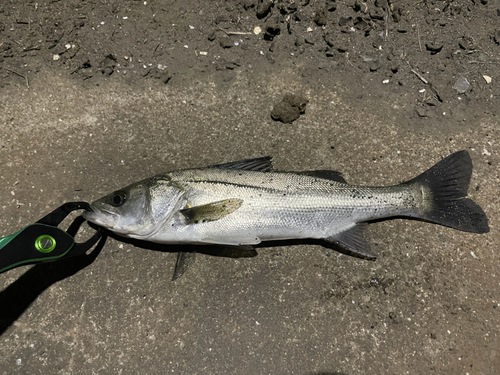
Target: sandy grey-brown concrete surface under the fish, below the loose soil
{"type": "Point", "coordinates": [430, 303]}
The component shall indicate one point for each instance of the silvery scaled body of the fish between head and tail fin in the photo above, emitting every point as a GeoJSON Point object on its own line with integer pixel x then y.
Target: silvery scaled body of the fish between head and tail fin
{"type": "Point", "coordinates": [285, 203]}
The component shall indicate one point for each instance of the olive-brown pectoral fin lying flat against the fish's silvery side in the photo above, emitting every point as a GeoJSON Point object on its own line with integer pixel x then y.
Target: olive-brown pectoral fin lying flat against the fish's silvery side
{"type": "Point", "coordinates": [211, 211]}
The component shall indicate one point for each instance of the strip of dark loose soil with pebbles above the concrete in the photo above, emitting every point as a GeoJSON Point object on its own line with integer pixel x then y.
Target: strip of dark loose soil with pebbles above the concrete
{"type": "Point", "coordinates": [411, 53]}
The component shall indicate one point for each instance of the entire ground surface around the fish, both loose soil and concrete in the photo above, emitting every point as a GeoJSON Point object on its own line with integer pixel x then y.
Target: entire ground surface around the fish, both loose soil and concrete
{"type": "Point", "coordinates": [97, 94]}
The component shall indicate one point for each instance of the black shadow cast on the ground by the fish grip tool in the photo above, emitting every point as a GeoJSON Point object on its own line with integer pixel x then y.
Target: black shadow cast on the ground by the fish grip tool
{"type": "Point", "coordinates": [19, 295]}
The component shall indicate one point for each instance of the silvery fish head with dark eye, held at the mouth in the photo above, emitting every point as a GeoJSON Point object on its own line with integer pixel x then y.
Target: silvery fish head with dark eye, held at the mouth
{"type": "Point", "coordinates": [138, 210]}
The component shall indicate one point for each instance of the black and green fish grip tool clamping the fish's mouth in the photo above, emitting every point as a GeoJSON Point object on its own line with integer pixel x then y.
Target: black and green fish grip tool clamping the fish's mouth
{"type": "Point", "coordinates": [43, 241]}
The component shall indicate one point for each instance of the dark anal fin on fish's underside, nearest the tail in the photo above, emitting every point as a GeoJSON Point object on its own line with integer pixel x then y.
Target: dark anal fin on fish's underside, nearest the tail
{"type": "Point", "coordinates": [352, 242]}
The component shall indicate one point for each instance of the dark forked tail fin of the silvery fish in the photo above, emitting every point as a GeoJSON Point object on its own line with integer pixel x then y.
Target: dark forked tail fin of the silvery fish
{"type": "Point", "coordinates": [447, 182]}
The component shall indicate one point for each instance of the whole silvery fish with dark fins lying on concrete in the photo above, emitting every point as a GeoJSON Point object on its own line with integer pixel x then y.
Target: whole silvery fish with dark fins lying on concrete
{"type": "Point", "coordinates": [246, 202]}
